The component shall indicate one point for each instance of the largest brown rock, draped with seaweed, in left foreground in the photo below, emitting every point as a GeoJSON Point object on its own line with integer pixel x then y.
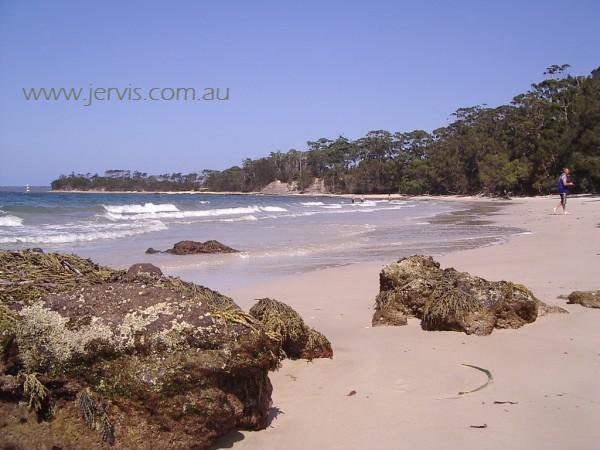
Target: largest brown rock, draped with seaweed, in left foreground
{"type": "Point", "coordinates": [136, 359]}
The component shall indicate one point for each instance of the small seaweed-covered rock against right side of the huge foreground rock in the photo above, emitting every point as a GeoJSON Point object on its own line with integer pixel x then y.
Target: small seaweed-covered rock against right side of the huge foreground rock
{"type": "Point", "coordinates": [297, 339]}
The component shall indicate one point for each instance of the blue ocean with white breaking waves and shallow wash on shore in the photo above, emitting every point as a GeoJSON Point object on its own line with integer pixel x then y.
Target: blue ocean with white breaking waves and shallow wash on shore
{"type": "Point", "coordinates": [276, 235]}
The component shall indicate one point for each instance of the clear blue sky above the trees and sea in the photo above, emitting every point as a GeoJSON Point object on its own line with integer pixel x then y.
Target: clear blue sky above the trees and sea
{"type": "Point", "coordinates": [296, 71]}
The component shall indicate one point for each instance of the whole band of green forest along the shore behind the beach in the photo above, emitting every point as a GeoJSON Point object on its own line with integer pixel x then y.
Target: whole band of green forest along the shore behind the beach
{"type": "Point", "coordinates": [516, 149]}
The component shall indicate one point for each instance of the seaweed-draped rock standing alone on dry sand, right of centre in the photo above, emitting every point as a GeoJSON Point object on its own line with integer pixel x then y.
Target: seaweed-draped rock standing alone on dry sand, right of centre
{"type": "Point", "coordinates": [445, 299]}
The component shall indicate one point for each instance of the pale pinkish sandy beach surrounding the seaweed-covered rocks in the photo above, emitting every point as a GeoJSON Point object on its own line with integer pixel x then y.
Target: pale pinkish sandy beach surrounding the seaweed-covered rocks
{"type": "Point", "coordinates": [545, 391]}
